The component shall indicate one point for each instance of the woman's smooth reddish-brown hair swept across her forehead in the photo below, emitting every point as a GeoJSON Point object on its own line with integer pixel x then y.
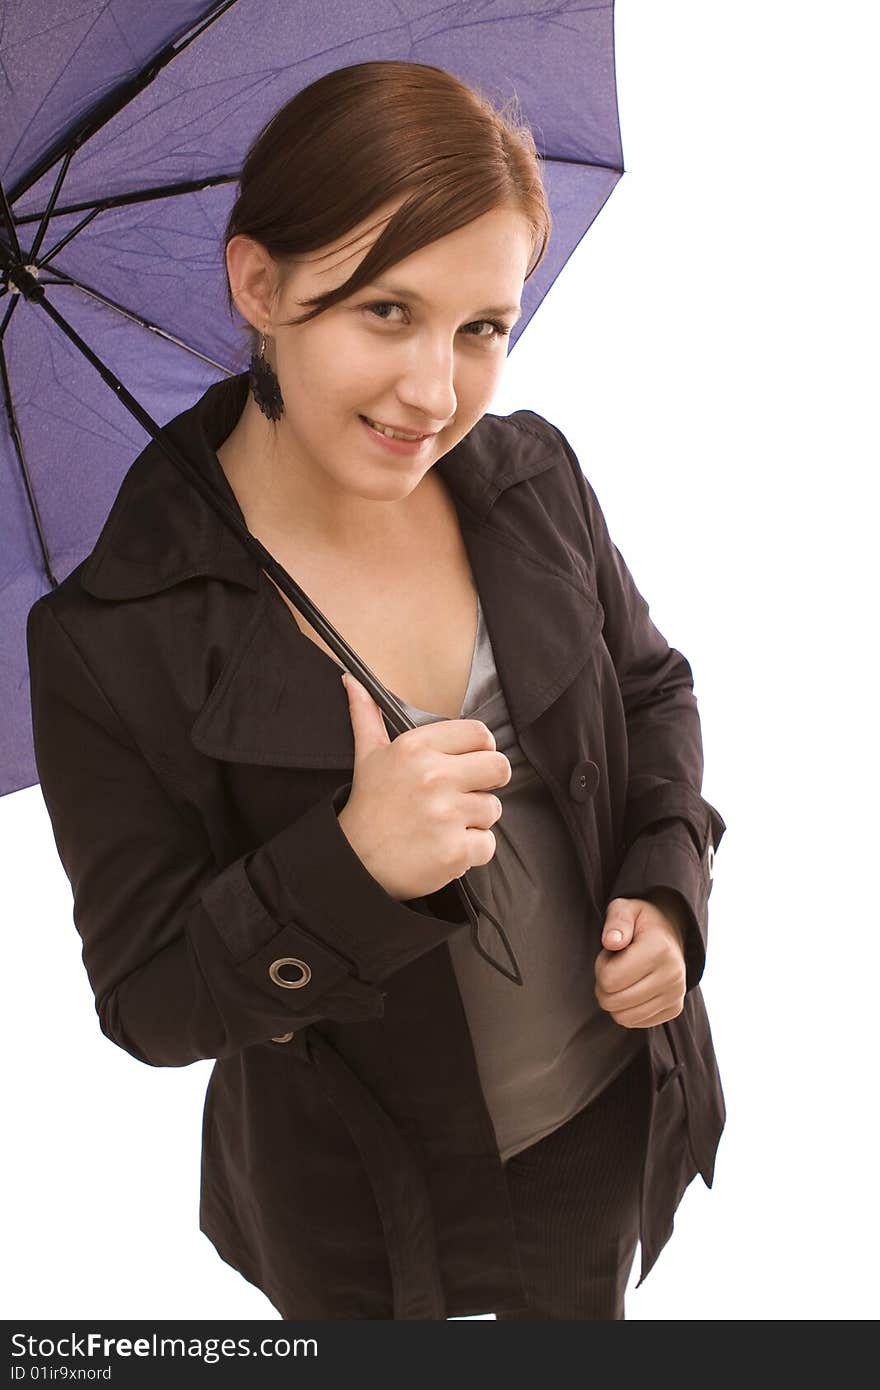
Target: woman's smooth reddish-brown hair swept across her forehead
{"type": "Point", "coordinates": [368, 134]}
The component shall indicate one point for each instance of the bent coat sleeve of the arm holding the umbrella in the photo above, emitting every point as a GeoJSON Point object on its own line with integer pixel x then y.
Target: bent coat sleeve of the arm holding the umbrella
{"type": "Point", "coordinates": [179, 949]}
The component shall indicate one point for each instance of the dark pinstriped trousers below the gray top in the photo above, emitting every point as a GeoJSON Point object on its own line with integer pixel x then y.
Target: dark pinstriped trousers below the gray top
{"type": "Point", "coordinates": [575, 1197]}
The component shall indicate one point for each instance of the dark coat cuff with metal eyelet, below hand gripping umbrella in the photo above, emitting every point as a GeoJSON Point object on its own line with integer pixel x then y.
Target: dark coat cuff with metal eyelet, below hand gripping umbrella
{"type": "Point", "coordinates": [307, 894]}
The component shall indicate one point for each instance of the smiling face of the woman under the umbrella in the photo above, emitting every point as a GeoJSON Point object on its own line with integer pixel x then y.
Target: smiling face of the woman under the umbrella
{"type": "Point", "coordinates": [425, 354]}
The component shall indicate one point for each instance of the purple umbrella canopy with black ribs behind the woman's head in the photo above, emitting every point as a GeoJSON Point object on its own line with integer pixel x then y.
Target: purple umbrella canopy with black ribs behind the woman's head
{"type": "Point", "coordinates": [123, 131]}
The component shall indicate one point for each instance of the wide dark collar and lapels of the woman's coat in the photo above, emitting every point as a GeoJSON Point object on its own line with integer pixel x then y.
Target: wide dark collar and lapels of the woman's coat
{"type": "Point", "coordinates": [277, 700]}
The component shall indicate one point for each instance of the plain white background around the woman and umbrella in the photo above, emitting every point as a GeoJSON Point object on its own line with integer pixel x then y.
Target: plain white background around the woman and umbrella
{"type": "Point", "coordinates": [711, 352]}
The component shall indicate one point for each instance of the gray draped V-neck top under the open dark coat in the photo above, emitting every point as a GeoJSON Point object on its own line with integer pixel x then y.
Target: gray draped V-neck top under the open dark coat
{"type": "Point", "coordinates": [544, 1049]}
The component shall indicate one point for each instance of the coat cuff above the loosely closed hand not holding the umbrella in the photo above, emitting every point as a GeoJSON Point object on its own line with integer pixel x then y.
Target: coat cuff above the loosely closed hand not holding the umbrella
{"type": "Point", "coordinates": [668, 858]}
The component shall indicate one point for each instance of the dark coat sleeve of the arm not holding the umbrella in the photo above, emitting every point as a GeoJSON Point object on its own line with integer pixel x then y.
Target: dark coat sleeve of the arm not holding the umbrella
{"type": "Point", "coordinates": [671, 832]}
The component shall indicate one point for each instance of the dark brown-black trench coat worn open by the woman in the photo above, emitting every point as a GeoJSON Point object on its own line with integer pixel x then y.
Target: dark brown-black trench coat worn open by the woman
{"type": "Point", "coordinates": [194, 750]}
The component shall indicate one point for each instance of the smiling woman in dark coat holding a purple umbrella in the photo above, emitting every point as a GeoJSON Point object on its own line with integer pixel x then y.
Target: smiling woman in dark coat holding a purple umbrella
{"type": "Point", "coordinates": [263, 876]}
